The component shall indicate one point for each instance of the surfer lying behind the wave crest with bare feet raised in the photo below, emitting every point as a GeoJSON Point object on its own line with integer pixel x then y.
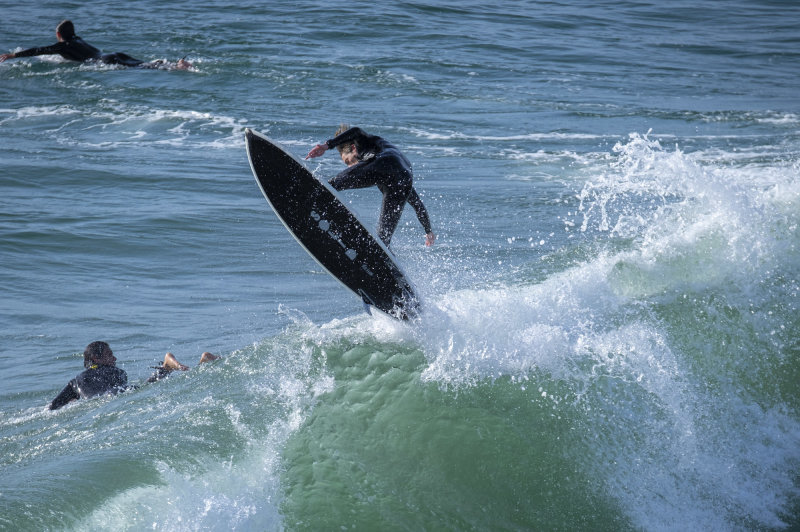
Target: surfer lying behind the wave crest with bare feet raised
{"type": "Point", "coordinates": [103, 377]}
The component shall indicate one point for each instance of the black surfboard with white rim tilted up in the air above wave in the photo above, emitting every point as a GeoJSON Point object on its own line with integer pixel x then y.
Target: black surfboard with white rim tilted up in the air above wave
{"type": "Point", "coordinates": [328, 230]}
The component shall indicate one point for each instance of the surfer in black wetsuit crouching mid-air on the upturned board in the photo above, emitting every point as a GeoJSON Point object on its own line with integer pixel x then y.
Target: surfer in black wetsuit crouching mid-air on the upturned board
{"type": "Point", "coordinates": [373, 161]}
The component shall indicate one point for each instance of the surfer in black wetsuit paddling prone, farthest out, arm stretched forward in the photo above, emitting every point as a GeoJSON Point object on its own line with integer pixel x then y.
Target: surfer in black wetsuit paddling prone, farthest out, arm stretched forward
{"type": "Point", "coordinates": [73, 48]}
